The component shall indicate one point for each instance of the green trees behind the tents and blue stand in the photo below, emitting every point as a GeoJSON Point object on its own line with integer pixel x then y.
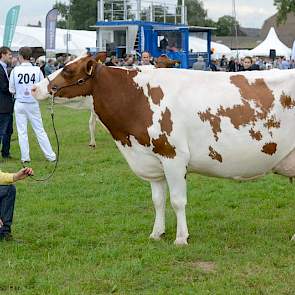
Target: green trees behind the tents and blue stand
{"type": "Point", "coordinates": [81, 15]}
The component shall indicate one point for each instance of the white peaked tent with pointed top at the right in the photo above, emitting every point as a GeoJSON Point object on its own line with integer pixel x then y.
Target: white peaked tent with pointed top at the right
{"type": "Point", "coordinates": [272, 41]}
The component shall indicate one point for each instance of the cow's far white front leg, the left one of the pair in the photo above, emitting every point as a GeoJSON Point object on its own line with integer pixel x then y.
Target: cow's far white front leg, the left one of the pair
{"type": "Point", "coordinates": [159, 199]}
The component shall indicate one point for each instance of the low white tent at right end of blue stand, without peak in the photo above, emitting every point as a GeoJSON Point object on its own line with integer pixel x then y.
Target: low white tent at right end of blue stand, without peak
{"type": "Point", "coordinates": [200, 45]}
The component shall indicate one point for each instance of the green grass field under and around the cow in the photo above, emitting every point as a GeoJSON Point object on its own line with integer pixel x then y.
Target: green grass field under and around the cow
{"type": "Point", "coordinates": [86, 230]}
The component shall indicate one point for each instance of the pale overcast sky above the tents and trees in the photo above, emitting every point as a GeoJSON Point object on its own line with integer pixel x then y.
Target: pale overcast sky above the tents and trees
{"type": "Point", "coordinates": [250, 13]}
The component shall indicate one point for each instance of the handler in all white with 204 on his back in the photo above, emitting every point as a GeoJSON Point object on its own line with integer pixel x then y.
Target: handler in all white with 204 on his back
{"type": "Point", "coordinates": [26, 107]}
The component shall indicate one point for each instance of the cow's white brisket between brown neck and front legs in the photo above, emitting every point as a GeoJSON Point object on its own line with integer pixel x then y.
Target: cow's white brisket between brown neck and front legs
{"type": "Point", "coordinates": [142, 161]}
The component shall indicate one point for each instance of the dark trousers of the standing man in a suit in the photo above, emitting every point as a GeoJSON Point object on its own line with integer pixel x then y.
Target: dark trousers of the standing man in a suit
{"type": "Point", "coordinates": [6, 130]}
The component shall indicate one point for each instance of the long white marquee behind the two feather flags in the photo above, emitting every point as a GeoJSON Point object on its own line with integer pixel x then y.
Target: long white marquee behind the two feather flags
{"type": "Point", "coordinates": [35, 37]}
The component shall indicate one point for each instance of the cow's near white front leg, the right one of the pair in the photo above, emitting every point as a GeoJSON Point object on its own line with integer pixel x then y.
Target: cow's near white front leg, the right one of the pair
{"type": "Point", "coordinates": [175, 173]}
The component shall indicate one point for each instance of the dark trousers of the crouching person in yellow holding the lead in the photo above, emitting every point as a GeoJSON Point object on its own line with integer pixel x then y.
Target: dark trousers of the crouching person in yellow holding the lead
{"type": "Point", "coordinates": [7, 200]}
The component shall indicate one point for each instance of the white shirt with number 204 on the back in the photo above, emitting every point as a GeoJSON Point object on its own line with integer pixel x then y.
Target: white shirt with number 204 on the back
{"type": "Point", "coordinates": [22, 78]}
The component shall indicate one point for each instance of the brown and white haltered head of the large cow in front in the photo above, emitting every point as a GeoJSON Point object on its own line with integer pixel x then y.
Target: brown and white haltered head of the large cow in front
{"type": "Point", "coordinates": [75, 79]}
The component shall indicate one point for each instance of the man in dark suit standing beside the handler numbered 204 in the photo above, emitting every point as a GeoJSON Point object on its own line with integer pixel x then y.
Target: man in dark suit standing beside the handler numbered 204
{"type": "Point", "coordinates": [6, 103]}
